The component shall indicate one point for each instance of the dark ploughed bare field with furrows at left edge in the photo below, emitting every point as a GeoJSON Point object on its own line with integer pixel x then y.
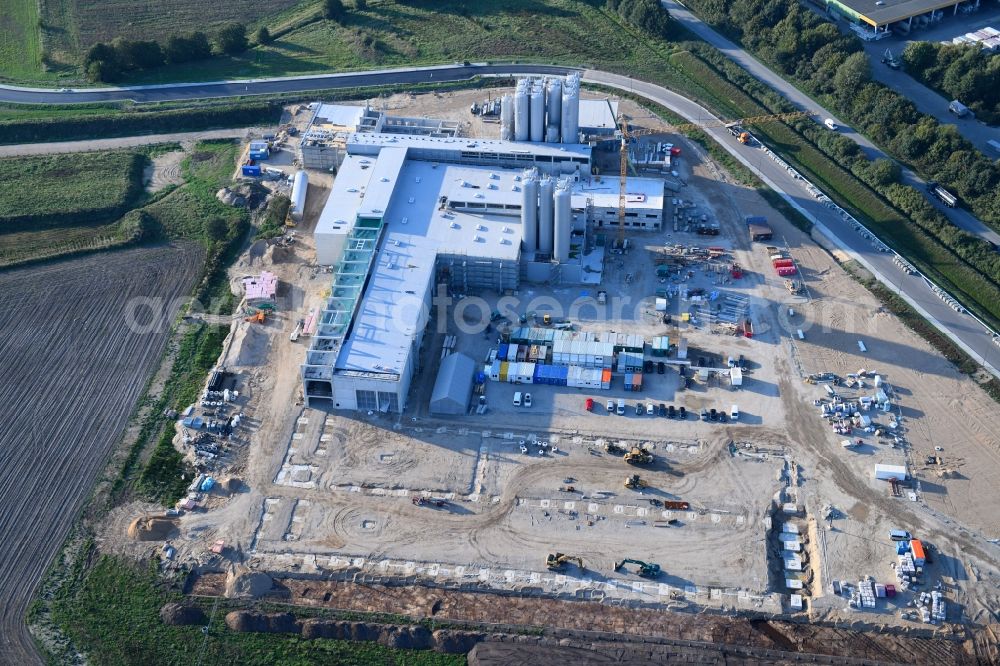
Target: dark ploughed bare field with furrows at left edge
{"type": "Point", "coordinates": [72, 369]}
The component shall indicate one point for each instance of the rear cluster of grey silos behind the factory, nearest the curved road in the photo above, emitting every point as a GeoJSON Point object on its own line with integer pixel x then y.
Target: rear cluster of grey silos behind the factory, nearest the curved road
{"type": "Point", "coordinates": [542, 110]}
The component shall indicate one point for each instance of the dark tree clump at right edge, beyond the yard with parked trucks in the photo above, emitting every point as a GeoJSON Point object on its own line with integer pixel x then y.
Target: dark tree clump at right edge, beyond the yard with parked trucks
{"type": "Point", "coordinates": [963, 72]}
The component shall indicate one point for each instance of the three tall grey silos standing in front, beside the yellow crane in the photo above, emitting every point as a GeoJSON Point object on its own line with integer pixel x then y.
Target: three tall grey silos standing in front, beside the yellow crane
{"type": "Point", "coordinates": [546, 215]}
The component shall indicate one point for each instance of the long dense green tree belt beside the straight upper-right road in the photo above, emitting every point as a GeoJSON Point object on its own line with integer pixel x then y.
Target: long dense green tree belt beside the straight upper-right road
{"type": "Point", "coordinates": [811, 52]}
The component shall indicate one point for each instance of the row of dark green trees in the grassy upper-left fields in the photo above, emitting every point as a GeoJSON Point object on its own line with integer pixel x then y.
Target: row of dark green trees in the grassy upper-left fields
{"type": "Point", "coordinates": [109, 61]}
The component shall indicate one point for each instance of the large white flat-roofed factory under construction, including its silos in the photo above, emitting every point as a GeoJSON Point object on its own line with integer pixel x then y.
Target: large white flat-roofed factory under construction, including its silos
{"type": "Point", "coordinates": [413, 209]}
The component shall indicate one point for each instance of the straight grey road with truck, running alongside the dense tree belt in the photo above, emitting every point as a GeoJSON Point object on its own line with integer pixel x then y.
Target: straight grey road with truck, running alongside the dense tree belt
{"type": "Point", "coordinates": [958, 216]}
